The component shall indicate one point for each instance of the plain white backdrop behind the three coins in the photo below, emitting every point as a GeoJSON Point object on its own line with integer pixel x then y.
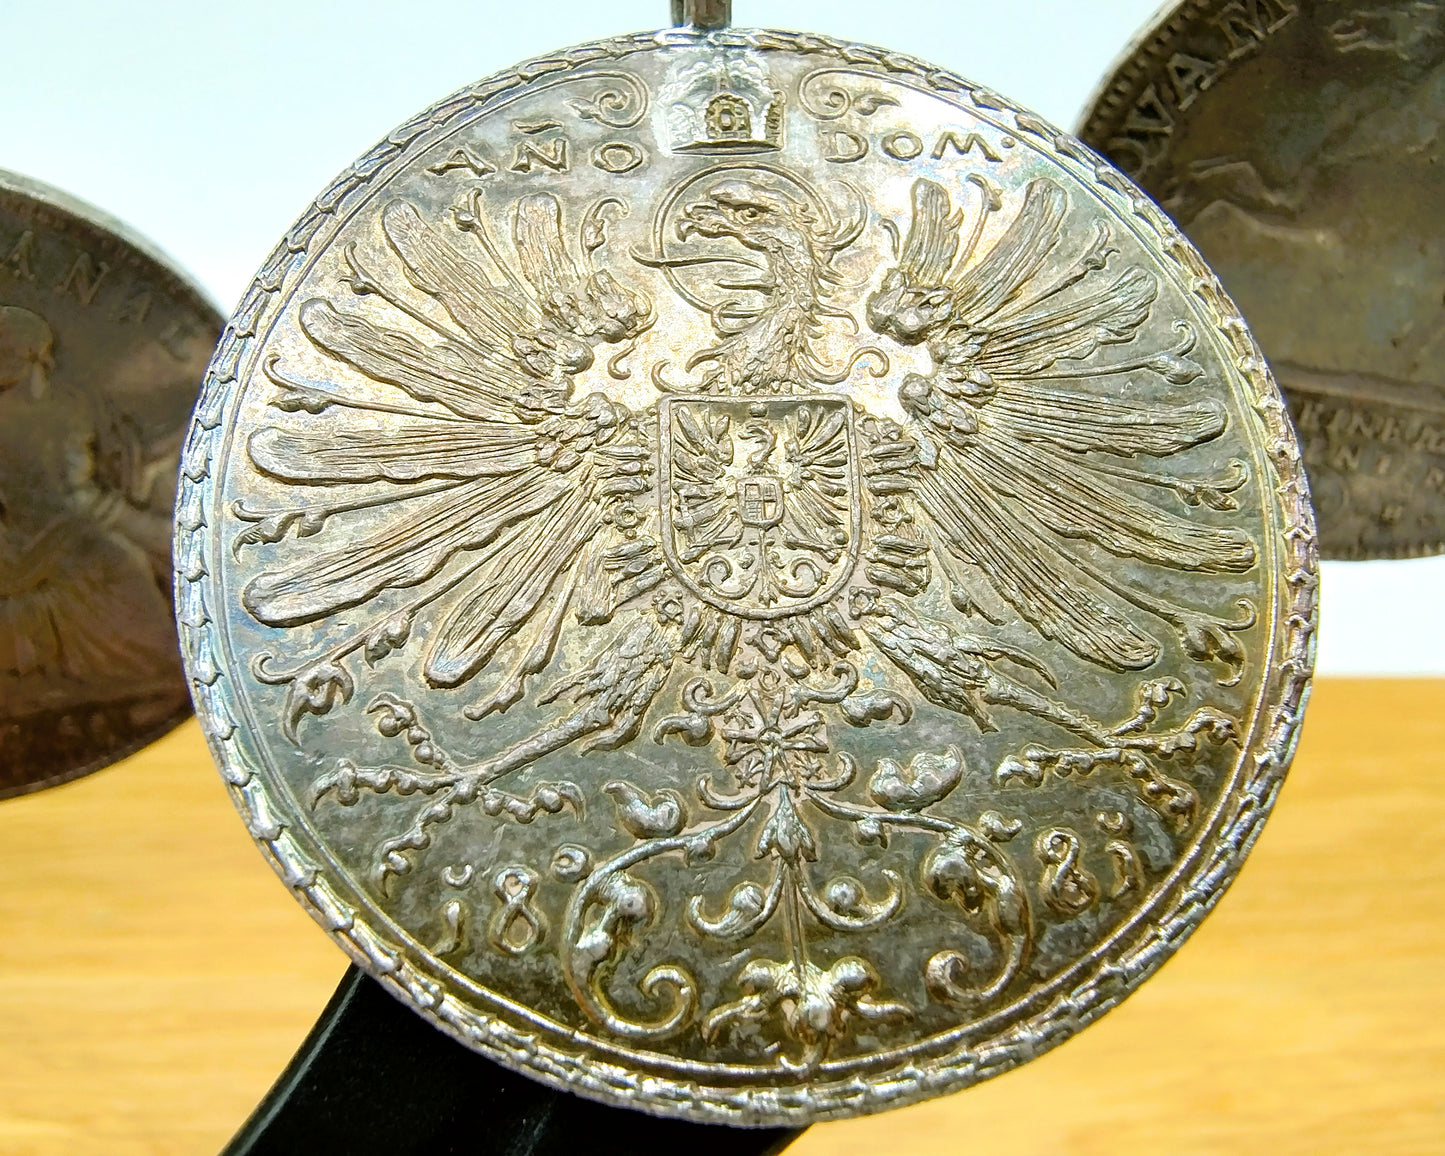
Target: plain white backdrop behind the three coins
{"type": "Point", "coordinates": [210, 126]}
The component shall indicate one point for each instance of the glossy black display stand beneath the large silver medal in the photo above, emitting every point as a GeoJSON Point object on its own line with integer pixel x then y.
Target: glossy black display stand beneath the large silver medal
{"type": "Point", "coordinates": [374, 1077]}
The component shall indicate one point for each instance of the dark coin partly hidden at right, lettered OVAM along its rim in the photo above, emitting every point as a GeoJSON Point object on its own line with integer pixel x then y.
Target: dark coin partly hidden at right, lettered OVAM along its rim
{"type": "Point", "coordinates": [1301, 145]}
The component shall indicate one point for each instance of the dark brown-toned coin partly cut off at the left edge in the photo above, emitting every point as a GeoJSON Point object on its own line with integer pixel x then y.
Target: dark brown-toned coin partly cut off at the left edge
{"type": "Point", "coordinates": [102, 349]}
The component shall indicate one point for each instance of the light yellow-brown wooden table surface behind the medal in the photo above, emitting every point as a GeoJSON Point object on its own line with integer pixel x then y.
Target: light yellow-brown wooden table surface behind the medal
{"type": "Point", "coordinates": [155, 976]}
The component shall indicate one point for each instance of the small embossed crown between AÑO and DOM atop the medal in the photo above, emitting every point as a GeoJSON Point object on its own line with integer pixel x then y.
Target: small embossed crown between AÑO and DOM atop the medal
{"type": "Point", "coordinates": [723, 105]}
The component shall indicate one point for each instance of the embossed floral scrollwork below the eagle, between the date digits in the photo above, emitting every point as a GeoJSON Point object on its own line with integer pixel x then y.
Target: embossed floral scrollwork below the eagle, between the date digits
{"type": "Point", "coordinates": [785, 781]}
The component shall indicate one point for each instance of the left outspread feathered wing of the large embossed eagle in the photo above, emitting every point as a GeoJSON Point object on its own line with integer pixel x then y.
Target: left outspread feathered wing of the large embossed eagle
{"type": "Point", "coordinates": [463, 436]}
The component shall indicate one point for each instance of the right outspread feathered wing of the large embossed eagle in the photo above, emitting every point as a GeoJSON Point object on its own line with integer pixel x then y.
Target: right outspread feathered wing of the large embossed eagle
{"type": "Point", "coordinates": [1021, 472]}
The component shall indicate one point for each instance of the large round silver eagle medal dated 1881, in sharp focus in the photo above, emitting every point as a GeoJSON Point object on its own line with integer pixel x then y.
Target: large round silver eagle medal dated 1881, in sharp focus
{"type": "Point", "coordinates": [746, 577]}
